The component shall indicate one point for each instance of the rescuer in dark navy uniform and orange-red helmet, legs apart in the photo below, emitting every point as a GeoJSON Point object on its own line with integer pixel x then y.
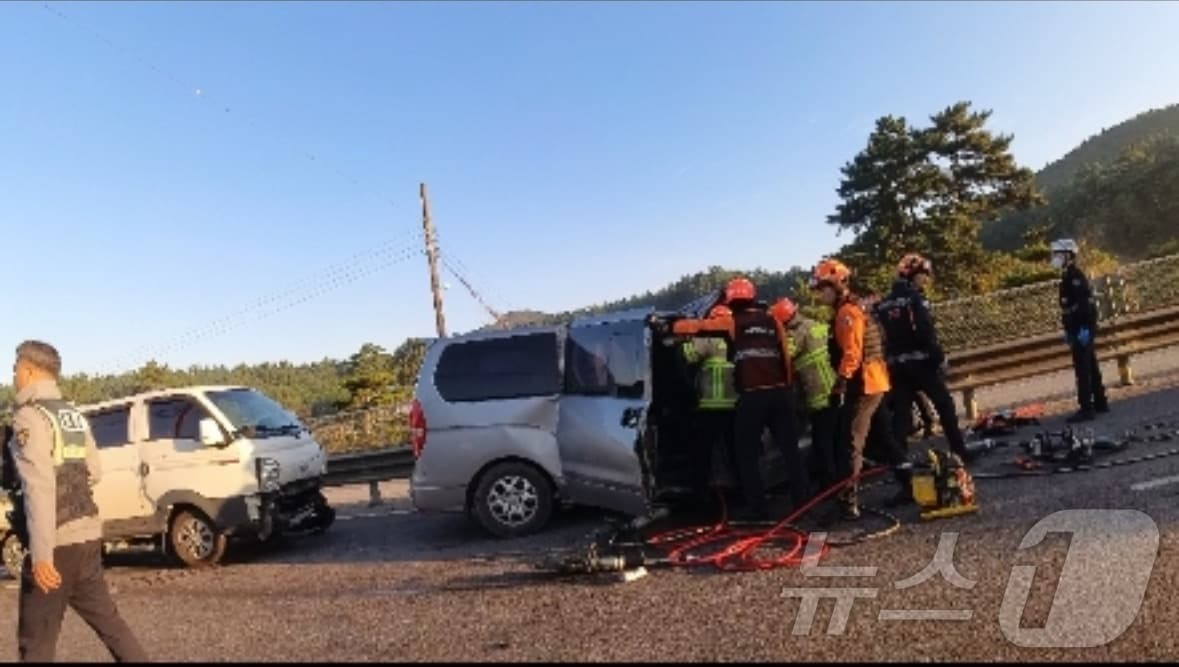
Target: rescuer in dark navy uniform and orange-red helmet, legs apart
{"type": "Point", "coordinates": [915, 359]}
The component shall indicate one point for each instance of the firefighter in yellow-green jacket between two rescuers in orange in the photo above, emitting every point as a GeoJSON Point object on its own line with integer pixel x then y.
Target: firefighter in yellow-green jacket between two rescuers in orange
{"type": "Point", "coordinates": [816, 379]}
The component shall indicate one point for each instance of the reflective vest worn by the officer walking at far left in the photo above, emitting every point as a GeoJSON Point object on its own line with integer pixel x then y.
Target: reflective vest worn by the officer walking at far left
{"type": "Point", "coordinates": [75, 499]}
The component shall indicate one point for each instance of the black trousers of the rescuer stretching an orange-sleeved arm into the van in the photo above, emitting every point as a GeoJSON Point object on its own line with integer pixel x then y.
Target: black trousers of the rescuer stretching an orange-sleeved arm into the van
{"type": "Point", "coordinates": [756, 412]}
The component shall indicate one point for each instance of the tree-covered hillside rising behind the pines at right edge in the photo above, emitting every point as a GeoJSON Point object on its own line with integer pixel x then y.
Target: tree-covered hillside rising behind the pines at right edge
{"type": "Point", "coordinates": [1117, 189]}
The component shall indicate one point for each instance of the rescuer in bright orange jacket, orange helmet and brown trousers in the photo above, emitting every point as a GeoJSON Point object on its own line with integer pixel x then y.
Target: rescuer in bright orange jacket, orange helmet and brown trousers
{"type": "Point", "coordinates": [861, 380]}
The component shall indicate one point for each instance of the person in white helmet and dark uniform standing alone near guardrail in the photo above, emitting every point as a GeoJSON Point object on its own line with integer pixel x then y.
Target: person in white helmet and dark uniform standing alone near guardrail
{"type": "Point", "coordinates": [1079, 318]}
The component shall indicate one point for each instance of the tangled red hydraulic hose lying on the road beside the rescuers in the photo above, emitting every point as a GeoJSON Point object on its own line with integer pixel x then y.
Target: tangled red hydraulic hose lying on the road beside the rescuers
{"type": "Point", "coordinates": [736, 549]}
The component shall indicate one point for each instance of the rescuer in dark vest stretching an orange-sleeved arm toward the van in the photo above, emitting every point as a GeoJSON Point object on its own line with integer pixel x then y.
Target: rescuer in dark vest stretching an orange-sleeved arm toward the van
{"type": "Point", "coordinates": [765, 391]}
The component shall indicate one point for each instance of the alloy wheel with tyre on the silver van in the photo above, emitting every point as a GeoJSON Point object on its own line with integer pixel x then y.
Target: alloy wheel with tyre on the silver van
{"type": "Point", "coordinates": [513, 500]}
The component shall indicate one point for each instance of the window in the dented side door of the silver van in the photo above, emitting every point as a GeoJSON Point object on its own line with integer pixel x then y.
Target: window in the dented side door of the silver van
{"type": "Point", "coordinates": [605, 360]}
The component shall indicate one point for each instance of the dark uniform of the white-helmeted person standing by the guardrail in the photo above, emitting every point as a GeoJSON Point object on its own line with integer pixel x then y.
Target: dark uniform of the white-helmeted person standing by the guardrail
{"type": "Point", "coordinates": [1079, 312]}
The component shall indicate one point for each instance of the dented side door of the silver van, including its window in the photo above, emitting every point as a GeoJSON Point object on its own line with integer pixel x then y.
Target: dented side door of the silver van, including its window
{"type": "Point", "coordinates": [603, 412]}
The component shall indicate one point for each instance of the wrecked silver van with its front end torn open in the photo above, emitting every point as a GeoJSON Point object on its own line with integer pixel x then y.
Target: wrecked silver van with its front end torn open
{"type": "Point", "coordinates": [506, 426]}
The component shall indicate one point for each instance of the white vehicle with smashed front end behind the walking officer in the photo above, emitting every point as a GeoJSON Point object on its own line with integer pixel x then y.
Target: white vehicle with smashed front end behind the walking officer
{"type": "Point", "coordinates": [186, 471]}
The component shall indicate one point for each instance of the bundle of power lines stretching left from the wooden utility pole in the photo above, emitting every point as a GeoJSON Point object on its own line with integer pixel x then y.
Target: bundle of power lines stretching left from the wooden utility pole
{"type": "Point", "coordinates": [226, 325]}
